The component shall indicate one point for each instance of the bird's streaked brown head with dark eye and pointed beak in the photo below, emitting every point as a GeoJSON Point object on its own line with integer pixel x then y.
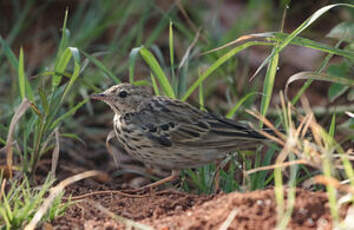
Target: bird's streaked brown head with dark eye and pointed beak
{"type": "Point", "coordinates": [123, 98]}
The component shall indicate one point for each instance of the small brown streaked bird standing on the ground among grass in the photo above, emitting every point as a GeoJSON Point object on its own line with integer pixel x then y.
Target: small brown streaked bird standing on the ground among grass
{"type": "Point", "coordinates": [170, 133]}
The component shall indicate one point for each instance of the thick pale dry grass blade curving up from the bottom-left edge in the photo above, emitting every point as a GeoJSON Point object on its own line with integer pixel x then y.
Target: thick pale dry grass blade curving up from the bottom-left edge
{"type": "Point", "coordinates": [55, 191]}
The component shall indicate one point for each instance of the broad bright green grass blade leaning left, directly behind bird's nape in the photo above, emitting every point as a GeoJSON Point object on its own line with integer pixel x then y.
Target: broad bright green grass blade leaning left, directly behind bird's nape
{"type": "Point", "coordinates": [156, 68]}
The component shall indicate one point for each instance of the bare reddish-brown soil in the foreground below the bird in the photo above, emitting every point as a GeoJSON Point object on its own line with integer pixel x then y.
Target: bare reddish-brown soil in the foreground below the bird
{"type": "Point", "coordinates": [172, 209]}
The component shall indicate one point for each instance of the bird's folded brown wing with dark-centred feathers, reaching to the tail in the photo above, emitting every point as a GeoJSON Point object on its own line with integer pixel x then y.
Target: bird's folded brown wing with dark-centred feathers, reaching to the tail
{"type": "Point", "coordinates": [172, 122]}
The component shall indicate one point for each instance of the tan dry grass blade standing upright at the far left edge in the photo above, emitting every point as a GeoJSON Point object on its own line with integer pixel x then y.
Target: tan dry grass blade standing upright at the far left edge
{"type": "Point", "coordinates": [25, 104]}
